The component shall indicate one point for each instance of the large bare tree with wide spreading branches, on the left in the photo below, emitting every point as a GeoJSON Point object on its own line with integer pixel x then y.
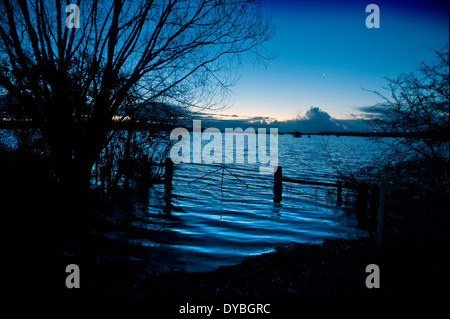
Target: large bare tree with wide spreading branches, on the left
{"type": "Point", "coordinates": [72, 82]}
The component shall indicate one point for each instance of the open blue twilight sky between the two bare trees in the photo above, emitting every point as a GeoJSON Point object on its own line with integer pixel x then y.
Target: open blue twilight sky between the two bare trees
{"type": "Point", "coordinates": [327, 55]}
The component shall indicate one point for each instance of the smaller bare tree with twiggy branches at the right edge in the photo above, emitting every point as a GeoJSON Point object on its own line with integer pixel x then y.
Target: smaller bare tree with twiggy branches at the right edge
{"type": "Point", "coordinates": [417, 105]}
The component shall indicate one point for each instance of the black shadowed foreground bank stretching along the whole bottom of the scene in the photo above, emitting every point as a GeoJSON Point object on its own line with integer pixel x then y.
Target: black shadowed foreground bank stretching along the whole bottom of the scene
{"type": "Point", "coordinates": [40, 240]}
